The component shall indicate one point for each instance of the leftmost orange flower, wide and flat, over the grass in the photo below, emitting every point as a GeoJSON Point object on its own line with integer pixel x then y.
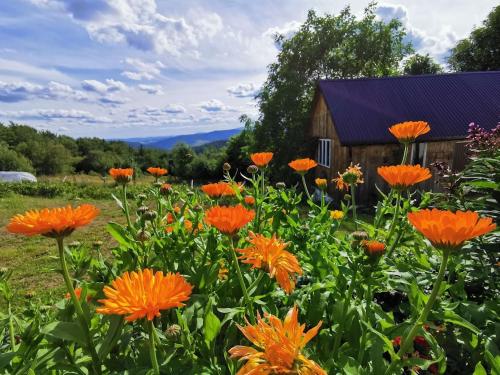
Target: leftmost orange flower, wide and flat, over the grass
{"type": "Point", "coordinates": [52, 222]}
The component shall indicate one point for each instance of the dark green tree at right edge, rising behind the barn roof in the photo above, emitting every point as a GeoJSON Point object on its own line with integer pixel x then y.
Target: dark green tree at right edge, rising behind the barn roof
{"type": "Point", "coordinates": [481, 50]}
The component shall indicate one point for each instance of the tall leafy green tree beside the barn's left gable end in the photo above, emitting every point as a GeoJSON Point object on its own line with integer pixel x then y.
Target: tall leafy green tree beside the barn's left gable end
{"type": "Point", "coordinates": [330, 46]}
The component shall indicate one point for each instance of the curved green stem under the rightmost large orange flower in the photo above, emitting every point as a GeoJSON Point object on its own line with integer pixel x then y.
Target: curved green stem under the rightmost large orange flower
{"type": "Point", "coordinates": [408, 340]}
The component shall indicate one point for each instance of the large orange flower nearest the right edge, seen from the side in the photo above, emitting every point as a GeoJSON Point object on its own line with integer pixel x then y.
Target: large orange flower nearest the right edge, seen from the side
{"type": "Point", "coordinates": [448, 230]}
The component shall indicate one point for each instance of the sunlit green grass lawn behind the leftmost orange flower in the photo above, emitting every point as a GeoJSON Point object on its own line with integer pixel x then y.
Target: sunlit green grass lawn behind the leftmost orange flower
{"type": "Point", "coordinates": [32, 259]}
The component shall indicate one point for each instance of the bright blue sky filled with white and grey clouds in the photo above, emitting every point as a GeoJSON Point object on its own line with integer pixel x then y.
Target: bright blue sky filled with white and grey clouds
{"type": "Point", "coordinates": [141, 68]}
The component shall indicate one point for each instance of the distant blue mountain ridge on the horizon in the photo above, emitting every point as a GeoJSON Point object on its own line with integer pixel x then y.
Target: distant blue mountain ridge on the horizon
{"type": "Point", "coordinates": [194, 140]}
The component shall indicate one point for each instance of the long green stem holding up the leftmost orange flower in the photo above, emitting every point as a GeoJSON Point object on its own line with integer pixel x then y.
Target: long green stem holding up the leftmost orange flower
{"type": "Point", "coordinates": [78, 308]}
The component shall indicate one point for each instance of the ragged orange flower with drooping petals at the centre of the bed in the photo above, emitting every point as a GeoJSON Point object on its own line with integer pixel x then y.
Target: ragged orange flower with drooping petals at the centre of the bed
{"type": "Point", "coordinates": [270, 255]}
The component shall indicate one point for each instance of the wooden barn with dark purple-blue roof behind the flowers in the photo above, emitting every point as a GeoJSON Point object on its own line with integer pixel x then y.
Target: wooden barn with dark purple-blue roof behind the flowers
{"type": "Point", "coordinates": [351, 117]}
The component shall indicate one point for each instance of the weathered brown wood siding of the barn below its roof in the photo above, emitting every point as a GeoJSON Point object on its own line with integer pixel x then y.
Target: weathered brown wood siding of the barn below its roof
{"type": "Point", "coordinates": [371, 156]}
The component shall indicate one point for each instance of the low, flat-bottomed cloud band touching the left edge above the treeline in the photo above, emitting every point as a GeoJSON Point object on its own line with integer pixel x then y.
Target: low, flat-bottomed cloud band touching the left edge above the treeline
{"type": "Point", "coordinates": [21, 91]}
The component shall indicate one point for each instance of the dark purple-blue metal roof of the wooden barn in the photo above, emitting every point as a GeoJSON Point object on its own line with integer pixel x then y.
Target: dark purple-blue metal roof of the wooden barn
{"type": "Point", "coordinates": [362, 109]}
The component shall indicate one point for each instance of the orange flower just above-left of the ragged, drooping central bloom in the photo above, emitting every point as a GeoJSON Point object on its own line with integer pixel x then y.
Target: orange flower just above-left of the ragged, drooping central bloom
{"type": "Point", "coordinates": [230, 219]}
